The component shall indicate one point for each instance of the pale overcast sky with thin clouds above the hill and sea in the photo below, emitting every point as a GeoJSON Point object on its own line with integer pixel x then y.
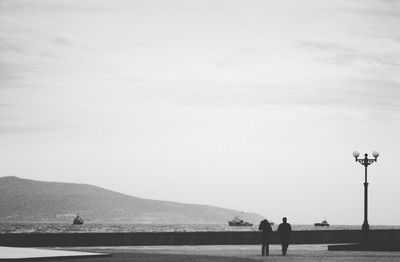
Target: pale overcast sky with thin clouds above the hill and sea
{"type": "Point", "coordinates": [252, 105]}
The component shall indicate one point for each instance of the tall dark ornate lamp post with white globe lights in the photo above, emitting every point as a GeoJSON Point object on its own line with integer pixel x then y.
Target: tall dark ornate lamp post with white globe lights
{"type": "Point", "coordinates": [366, 162]}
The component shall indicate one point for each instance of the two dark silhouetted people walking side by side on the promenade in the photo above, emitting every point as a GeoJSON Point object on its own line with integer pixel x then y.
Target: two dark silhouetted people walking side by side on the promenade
{"type": "Point", "coordinates": [284, 231]}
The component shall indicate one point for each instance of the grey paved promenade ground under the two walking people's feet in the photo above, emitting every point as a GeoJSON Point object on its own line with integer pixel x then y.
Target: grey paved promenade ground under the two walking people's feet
{"type": "Point", "coordinates": [230, 253]}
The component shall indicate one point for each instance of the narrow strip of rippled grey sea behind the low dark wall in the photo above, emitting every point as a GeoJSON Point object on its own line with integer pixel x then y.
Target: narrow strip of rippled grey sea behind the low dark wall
{"type": "Point", "coordinates": [69, 228]}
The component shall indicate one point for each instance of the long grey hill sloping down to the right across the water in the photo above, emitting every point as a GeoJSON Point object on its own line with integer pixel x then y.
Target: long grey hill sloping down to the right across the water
{"type": "Point", "coordinates": [24, 200]}
